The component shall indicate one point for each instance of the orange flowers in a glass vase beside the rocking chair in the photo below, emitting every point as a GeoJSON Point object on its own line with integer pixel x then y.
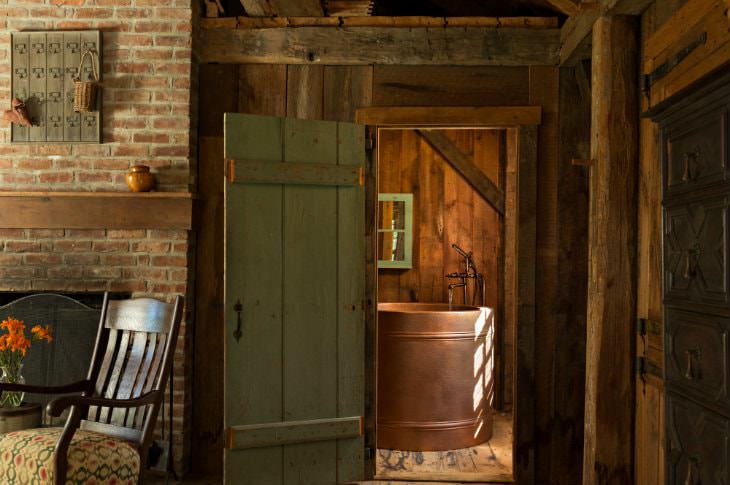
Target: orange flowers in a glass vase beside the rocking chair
{"type": "Point", "coordinates": [14, 345]}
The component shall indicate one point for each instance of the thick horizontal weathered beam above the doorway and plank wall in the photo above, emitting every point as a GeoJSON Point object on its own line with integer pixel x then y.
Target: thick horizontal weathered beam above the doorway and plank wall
{"type": "Point", "coordinates": [467, 46]}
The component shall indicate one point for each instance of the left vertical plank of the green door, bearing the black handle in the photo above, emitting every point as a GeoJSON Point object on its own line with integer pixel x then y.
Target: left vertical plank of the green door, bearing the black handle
{"type": "Point", "coordinates": [253, 365]}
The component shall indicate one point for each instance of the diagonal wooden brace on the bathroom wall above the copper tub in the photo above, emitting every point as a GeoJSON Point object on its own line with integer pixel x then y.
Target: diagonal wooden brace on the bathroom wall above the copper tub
{"type": "Point", "coordinates": [466, 168]}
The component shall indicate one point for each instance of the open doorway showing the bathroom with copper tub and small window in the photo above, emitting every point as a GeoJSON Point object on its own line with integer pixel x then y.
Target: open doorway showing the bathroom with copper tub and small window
{"type": "Point", "coordinates": [444, 393]}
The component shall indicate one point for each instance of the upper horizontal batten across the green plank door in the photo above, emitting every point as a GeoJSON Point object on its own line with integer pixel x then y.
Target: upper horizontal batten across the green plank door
{"type": "Point", "coordinates": [294, 173]}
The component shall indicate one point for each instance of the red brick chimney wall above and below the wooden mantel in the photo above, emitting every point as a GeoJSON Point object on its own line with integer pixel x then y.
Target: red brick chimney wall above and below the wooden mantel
{"type": "Point", "coordinates": [146, 119]}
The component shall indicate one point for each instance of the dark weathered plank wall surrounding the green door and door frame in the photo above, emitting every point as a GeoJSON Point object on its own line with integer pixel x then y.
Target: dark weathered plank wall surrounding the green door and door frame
{"type": "Point", "coordinates": [333, 93]}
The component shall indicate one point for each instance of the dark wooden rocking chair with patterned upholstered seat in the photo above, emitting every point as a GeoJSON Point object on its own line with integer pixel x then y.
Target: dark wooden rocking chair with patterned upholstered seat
{"type": "Point", "coordinates": [110, 426]}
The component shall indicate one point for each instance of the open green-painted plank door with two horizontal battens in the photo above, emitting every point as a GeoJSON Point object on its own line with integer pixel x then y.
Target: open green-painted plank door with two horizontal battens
{"type": "Point", "coordinates": [295, 261]}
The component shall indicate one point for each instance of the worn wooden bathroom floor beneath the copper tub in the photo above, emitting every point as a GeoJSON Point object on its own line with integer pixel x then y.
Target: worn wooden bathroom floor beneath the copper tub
{"type": "Point", "coordinates": [490, 461]}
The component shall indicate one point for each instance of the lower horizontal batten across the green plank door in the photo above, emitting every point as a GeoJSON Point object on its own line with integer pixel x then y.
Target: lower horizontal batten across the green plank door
{"type": "Point", "coordinates": [289, 432]}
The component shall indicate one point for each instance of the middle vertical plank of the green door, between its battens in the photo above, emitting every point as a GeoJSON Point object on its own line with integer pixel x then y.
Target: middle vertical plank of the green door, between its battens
{"type": "Point", "coordinates": [310, 319]}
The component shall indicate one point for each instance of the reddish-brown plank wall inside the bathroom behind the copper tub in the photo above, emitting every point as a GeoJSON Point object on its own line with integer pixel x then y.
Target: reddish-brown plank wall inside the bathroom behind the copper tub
{"type": "Point", "coordinates": [447, 210]}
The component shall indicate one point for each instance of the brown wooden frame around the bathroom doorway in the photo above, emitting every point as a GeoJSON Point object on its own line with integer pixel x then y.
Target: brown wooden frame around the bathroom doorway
{"type": "Point", "coordinates": [521, 123]}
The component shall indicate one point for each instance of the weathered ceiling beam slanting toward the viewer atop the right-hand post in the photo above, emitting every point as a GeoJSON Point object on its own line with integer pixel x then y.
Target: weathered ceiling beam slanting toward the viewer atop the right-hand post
{"type": "Point", "coordinates": [577, 28]}
